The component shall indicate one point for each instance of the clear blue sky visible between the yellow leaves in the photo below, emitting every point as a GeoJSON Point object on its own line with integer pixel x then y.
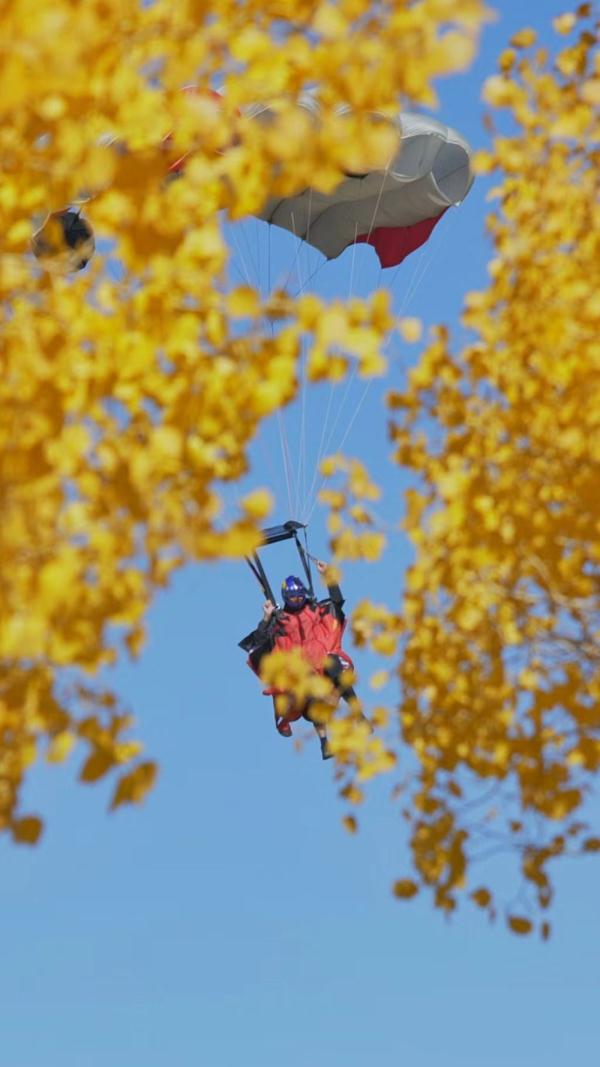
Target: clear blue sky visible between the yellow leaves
{"type": "Point", "coordinates": [231, 920]}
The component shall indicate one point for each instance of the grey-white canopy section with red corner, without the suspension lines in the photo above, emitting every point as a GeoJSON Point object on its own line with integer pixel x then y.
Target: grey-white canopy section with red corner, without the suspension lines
{"type": "Point", "coordinates": [393, 209]}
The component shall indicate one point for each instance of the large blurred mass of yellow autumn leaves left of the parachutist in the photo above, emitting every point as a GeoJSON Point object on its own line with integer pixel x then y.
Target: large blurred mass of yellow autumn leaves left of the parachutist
{"type": "Point", "coordinates": [123, 403]}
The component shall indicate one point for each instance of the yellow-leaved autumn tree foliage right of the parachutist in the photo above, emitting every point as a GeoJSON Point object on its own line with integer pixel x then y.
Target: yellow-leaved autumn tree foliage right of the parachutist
{"type": "Point", "coordinates": [500, 625]}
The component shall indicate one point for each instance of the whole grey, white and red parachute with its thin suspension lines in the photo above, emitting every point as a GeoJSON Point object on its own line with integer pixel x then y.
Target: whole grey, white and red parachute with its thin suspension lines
{"type": "Point", "coordinates": [392, 206]}
